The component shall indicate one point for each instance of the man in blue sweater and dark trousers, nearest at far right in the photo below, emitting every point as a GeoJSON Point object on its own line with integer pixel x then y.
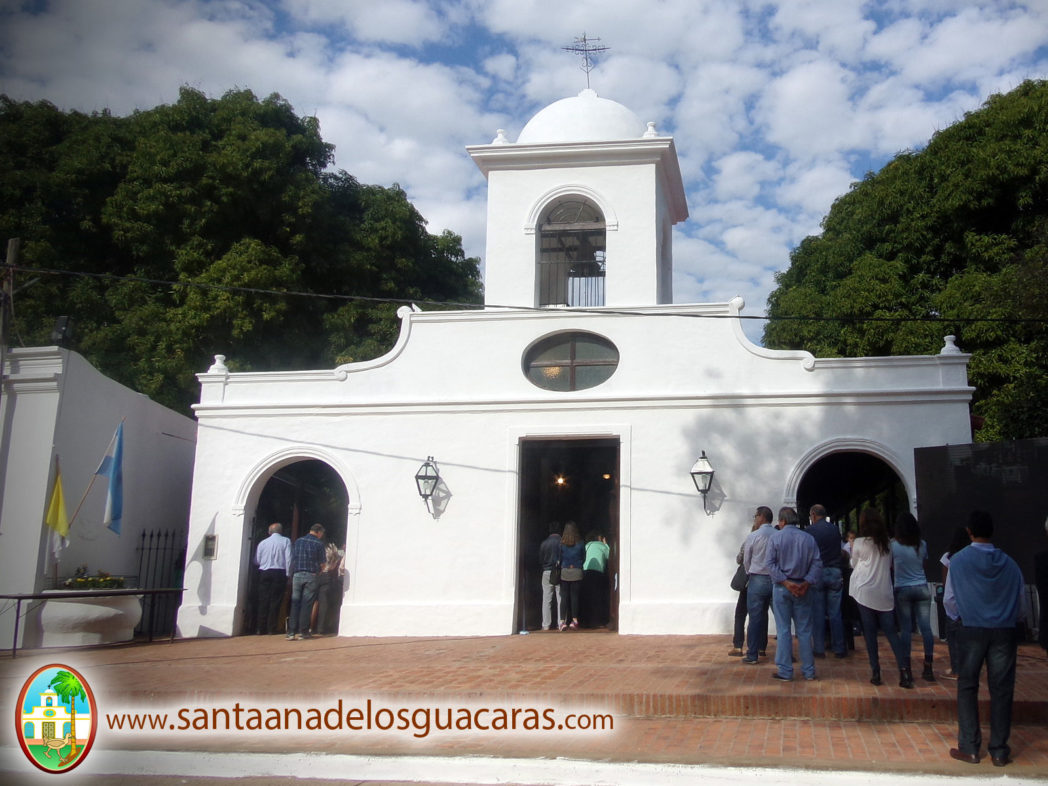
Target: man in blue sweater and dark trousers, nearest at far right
{"type": "Point", "coordinates": [985, 589]}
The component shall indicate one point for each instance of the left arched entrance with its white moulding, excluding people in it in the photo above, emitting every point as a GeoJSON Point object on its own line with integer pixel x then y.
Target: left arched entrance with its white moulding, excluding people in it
{"type": "Point", "coordinates": [297, 489]}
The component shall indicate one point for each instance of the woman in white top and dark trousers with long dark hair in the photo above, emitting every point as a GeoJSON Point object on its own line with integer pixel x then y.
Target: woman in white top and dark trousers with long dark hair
{"type": "Point", "coordinates": [871, 586]}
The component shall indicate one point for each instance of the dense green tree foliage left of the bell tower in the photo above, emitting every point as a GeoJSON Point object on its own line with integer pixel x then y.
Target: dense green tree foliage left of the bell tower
{"type": "Point", "coordinates": [232, 192]}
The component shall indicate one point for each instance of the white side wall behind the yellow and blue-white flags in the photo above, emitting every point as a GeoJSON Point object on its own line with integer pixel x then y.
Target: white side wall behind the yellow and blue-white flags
{"type": "Point", "coordinates": [56, 403]}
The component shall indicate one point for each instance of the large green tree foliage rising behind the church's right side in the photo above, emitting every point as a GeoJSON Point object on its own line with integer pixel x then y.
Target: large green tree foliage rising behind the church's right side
{"type": "Point", "coordinates": [958, 231]}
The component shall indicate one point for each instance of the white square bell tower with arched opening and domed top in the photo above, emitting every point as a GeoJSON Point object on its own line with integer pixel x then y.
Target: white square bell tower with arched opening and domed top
{"type": "Point", "coordinates": [581, 209]}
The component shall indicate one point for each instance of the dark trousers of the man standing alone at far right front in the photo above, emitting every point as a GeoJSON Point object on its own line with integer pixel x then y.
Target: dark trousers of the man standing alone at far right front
{"type": "Point", "coordinates": [997, 648]}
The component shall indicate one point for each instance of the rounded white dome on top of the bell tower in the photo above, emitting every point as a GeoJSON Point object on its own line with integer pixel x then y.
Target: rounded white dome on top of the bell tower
{"type": "Point", "coordinates": [584, 118]}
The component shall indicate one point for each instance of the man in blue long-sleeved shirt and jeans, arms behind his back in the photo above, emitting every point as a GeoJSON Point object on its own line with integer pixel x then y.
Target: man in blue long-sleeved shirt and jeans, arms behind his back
{"type": "Point", "coordinates": [795, 567]}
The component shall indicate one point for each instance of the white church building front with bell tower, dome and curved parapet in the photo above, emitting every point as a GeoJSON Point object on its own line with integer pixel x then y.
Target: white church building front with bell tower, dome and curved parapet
{"type": "Point", "coordinates": [581, 392]}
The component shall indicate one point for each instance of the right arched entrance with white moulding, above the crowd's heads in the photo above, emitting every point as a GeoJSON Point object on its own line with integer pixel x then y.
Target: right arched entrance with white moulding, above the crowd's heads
{"type": "Point", "coordinates": [845, 476]}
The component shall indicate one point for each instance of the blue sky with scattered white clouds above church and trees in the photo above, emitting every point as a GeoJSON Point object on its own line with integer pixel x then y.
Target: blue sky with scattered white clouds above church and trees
{"type": "Point", "coordinates": [776, 107]}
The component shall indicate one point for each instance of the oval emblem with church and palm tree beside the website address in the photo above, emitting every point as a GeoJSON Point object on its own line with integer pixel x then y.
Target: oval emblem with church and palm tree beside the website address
{"type": "Point", "coordinates": [56, 718]}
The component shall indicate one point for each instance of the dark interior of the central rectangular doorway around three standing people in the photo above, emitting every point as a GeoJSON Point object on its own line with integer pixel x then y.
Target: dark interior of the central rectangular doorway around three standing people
{"type": "Point", "coordinates": [565, 481]}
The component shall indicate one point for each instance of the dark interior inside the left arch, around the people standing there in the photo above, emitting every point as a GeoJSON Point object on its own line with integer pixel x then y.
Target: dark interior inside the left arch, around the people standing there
{"type": "Point", "coordinates": [299, 496]}
